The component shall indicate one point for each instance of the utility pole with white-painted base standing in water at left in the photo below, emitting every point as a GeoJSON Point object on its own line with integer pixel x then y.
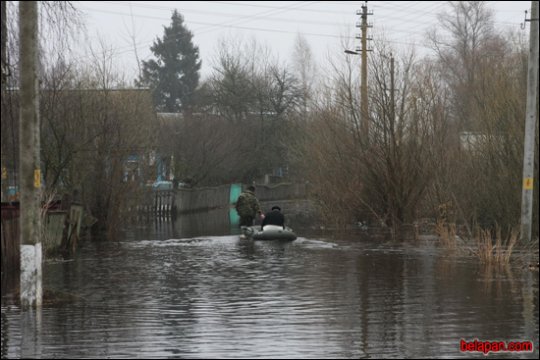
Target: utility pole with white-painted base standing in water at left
{"type": "Point", "coordinates": [29, 147]}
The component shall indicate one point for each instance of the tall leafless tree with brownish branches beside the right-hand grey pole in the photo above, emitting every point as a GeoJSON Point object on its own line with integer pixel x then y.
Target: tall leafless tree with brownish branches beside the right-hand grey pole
{"type": "Point", "coordinates": [484, 73]}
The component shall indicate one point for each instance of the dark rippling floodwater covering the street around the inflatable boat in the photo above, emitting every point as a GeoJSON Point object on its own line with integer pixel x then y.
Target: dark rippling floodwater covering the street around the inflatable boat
{"type": "Point", "coordinates": [185, 290]}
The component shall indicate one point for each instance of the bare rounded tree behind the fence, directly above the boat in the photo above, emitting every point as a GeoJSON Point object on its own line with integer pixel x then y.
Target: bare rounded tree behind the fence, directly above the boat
{"type": "Point", "coordinates": [256, 97]}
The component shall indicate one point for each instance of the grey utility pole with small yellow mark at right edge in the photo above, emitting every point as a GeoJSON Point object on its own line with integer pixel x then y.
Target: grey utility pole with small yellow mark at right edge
{"type": "Point", "coordinates": [530, 129]}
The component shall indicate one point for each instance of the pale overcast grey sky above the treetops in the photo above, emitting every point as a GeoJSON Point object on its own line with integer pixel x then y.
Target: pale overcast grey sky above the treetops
{"type": "Point", "coordinates": [273, 23]}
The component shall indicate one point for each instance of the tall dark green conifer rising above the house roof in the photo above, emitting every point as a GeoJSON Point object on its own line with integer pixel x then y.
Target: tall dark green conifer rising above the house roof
{"type": "Point", "coordinates": [174, 74]}
